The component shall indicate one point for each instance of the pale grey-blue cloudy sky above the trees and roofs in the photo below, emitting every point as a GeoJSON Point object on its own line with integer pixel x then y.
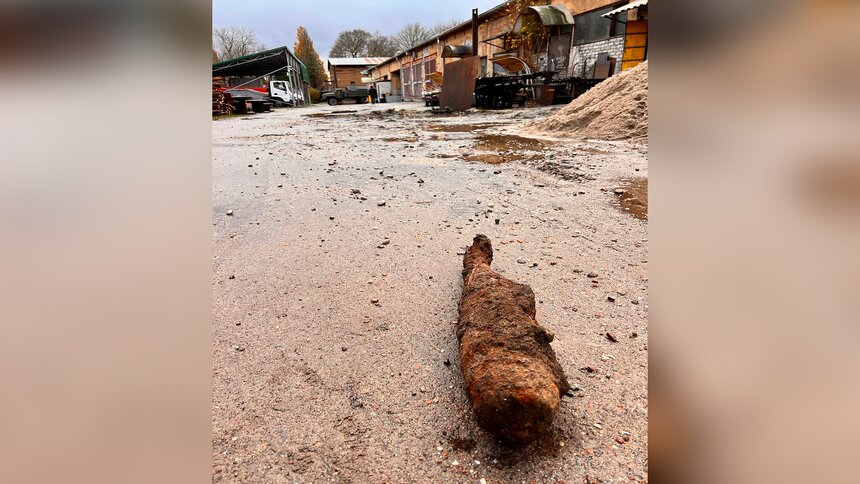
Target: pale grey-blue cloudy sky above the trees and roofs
{"type": "Point", "coordinates": [275, 21]}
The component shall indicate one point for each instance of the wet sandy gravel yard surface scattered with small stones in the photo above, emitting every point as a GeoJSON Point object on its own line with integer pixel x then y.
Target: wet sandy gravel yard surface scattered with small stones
{"type": "Point", "coordinates": [334, 353]}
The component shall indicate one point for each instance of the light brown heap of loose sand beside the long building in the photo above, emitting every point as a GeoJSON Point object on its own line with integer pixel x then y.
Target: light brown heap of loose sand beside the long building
{"type": "Point", "coordinates": [615, 109]}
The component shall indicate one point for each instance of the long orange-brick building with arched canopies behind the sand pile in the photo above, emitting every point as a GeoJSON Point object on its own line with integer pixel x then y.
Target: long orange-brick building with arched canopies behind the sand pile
{"type": "Point", "coordinates": [562, 36]}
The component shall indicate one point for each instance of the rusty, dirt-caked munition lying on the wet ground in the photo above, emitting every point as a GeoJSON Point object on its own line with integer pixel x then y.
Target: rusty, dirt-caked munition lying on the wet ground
{"type": "Point", "coordinates": [512, 376]}
